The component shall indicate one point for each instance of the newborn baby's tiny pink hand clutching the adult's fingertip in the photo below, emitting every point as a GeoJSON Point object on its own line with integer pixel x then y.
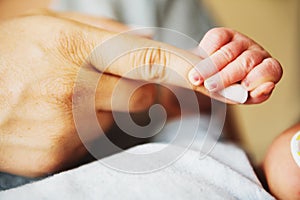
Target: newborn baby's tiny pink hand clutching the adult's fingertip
{"type": "Point", "coordinates": [231, 57]}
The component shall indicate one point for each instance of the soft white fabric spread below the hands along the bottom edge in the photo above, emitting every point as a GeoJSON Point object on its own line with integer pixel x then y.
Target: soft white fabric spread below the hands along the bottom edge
{"type": "Point", "coordinates": [187, 178]}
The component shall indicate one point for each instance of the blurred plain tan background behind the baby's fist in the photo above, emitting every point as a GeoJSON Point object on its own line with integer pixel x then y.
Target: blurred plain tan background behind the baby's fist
{"type": "Point", "coordinates": [275, 24]}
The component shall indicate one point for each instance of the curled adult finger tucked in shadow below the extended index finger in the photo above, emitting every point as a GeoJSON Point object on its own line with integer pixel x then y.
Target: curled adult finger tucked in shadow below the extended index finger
{"type": "Point", "coordinates": [117, 94]}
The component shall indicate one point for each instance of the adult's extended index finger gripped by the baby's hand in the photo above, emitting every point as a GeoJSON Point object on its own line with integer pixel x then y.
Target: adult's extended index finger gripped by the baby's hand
{"type": "Point", "coordinates": [139, 59]}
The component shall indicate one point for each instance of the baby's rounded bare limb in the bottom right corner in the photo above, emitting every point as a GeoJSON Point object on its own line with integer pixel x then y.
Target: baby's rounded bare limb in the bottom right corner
{"type": "Point", "coordinates": [281, 170]}
